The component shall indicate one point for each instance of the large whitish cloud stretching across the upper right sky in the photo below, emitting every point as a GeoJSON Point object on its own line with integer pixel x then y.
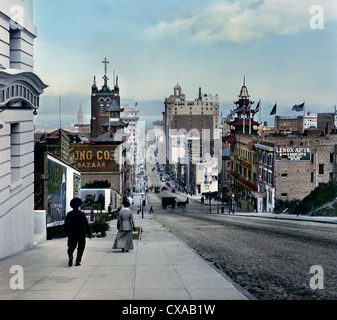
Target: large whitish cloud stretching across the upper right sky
{"type": "Point", "coordinates": [241, 21]}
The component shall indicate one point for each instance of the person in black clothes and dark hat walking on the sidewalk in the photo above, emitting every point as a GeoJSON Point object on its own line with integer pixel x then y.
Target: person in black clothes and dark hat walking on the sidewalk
{"type": "Point", "coordinates": [76, 227]}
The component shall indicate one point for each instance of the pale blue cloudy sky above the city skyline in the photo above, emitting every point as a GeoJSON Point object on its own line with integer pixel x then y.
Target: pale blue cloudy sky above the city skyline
{"type": "Point", "coordinates": [286, 50]}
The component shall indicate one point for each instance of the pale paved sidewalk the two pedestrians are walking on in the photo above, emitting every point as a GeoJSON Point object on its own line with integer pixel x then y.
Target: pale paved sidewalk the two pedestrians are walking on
{"type": "Point", "coordinates": [161, 267]}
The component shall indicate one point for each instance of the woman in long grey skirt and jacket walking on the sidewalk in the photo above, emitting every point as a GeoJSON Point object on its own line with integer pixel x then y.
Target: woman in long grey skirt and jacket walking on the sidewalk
{"type": "Point", "coordinates": [125, 226]}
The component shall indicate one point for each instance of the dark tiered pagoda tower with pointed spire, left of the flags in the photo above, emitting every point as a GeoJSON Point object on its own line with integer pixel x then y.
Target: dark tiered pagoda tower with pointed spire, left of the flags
{"type": "Point", "coordinates": [241, 119]}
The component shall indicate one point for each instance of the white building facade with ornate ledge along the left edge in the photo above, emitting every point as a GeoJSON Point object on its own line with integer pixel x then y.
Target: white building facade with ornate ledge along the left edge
{"type": "Point", "coordinates": [20, 90]}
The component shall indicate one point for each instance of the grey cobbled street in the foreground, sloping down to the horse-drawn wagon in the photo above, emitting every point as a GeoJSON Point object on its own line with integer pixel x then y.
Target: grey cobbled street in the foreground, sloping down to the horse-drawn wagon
{"type": "Point", "coordinates": [271, 259]}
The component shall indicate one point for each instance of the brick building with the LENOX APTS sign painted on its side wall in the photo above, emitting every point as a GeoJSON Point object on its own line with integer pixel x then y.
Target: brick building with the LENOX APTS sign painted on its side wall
{"type": "Point", "coordinates": [291, 166]}
